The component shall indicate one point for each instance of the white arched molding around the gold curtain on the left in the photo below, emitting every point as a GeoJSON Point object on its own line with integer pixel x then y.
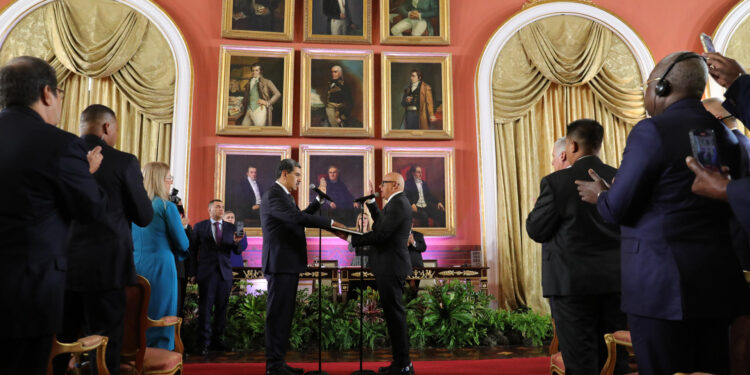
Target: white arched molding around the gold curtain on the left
{"type": "Point", "coordinates": [180, 152]}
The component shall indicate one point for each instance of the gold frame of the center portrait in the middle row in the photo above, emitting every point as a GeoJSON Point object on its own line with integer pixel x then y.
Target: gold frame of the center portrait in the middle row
{"type": "Point", "coordinates": [306, 128]}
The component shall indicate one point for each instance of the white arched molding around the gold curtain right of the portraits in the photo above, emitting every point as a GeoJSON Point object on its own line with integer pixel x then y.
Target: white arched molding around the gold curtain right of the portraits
{"type": "Point", "coordinates": [485, 124]}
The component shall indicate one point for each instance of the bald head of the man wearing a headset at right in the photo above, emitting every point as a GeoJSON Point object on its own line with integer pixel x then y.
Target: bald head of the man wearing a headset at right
{"type": "Point", "coordinates": [687, 77]}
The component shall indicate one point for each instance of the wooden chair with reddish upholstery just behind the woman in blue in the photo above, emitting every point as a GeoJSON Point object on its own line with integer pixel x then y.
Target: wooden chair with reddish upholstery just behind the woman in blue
{"type": "Point", "coordinates": [136, 358]}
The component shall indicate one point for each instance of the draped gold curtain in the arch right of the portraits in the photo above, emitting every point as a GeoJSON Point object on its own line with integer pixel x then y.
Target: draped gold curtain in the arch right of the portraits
{"type": "Point", "coordinates": [552, 72]}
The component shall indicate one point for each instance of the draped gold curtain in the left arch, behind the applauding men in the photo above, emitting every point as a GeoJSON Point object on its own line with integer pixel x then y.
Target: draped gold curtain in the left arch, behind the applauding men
{"type": "Point", "coordinates": [106, 53]}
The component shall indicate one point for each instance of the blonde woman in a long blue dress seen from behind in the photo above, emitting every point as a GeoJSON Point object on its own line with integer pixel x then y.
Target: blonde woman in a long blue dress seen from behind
{"type": "Point", "coordinates": [155, 249]}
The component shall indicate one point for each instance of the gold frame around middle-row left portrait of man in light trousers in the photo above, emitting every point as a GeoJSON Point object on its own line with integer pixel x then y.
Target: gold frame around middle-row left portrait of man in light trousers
{"type": "Point", "coordinates": [222, 117]}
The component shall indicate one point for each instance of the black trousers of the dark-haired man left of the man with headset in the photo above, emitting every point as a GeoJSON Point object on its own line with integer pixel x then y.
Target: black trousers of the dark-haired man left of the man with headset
{"type": "Point", "coordinates": [582, 321]}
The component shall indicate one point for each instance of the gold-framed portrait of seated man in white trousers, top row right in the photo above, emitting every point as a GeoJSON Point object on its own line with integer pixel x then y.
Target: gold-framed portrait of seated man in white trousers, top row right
{"type": "Point", "coordinates": [395, 21]}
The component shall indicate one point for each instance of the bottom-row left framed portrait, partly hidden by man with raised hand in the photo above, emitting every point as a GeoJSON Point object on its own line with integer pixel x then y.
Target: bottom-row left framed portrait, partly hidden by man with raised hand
{"type": "Point", "coordinates": [243, 174]}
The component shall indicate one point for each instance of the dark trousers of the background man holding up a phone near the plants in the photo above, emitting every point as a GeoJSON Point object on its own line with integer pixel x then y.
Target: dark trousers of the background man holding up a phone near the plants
{"type": "Point", "coordinates": [213, 292]}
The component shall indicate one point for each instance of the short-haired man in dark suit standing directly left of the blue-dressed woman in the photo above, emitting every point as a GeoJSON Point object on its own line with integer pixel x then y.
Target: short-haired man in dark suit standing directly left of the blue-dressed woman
{"type": "Point", "coordinates": [100, 256]}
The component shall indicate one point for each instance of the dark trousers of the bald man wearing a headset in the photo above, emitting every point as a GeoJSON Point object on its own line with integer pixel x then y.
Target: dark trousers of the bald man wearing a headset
{"type": "Point", "coordinates": [669, 346]}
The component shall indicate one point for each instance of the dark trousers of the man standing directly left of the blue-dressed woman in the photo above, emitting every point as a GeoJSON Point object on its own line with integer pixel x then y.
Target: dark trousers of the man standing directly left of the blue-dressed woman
{"type": "Point", "coordinates": [93, 313]}
